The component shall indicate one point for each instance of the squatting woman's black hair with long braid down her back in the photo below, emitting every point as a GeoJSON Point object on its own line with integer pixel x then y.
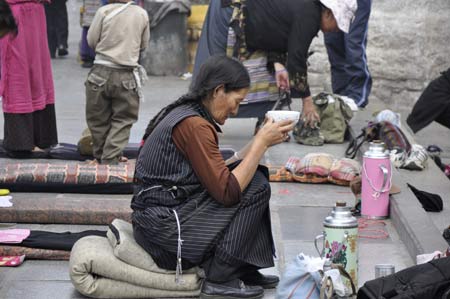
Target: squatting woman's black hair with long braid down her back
{"type": "Point", "coordinates": [215, 71]}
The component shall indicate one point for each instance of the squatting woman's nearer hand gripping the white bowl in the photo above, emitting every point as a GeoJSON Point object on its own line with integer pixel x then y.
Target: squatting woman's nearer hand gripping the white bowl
{"type": "Point", "coordinates": [272, 133]}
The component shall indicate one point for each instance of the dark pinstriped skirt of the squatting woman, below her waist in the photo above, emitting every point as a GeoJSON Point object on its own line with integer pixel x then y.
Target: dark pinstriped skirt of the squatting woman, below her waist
{"type": "Point", "coordinates": [237, 235]}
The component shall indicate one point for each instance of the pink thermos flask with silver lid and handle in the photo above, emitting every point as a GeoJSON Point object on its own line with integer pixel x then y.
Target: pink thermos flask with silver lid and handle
{"type": "Point", "coordinates": [376, 182]}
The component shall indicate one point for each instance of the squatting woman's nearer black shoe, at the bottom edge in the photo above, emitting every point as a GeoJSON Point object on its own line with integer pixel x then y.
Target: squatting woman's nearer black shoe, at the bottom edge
{"type": "Point", "coordinates": [236, 290]}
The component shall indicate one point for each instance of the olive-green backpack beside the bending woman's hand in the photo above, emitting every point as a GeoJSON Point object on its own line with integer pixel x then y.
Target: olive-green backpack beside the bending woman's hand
{"type": "Point", "coordinates": [334, 116]}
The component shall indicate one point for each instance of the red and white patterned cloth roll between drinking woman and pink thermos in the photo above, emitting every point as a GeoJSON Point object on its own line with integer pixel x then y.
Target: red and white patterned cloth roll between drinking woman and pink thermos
{"type": "Point", "coordinates": [317, 168]}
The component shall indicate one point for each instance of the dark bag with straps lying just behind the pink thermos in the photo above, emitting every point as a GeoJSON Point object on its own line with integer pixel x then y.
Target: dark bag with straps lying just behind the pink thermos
{"type": "Point", "coordinates": [391, 135]}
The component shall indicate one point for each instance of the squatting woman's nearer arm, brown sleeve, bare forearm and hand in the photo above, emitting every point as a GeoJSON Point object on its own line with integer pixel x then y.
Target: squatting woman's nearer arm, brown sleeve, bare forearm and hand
{"type": "Point", "coordinates": [197, 141]}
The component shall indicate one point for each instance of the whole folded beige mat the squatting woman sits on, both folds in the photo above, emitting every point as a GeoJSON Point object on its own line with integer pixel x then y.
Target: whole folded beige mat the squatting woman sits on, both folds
{"type": "Point", "coordinates": [117, 267]}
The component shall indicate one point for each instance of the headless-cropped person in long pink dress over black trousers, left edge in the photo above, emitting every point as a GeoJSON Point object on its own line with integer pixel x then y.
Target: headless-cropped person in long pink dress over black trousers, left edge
{"type": "Point", "coordinates": [26, 82]}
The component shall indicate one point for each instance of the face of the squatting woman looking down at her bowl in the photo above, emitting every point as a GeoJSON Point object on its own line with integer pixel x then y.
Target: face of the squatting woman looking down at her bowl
{"type": "Point", "coordinates": [225, 104]}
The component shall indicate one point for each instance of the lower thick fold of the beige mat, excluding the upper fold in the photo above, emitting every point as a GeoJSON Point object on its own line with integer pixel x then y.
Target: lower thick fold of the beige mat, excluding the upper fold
{"type": "Point", "coordinates": [96, 272]}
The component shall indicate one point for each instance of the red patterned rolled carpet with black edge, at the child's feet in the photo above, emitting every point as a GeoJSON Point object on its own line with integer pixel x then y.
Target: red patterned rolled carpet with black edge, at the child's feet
{"type": "Point", "coordinates": [67, 177]}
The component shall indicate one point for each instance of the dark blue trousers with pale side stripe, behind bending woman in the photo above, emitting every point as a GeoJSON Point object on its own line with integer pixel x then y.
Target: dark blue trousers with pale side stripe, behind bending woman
{"type": "Point", "coordinates": [350, 75]}
